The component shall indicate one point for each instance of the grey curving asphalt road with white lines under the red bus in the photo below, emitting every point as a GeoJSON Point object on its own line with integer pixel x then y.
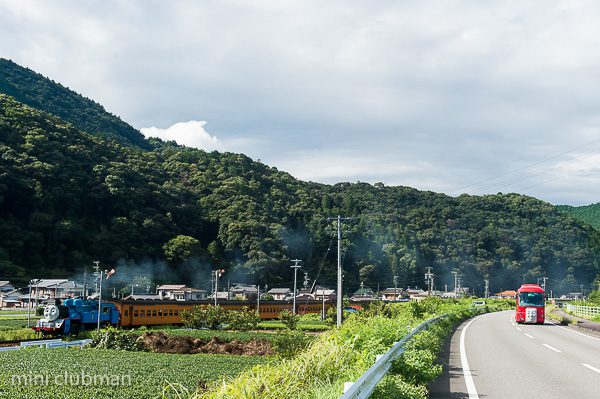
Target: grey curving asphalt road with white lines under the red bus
{"type": "Point", "coordinates": [509, 360]}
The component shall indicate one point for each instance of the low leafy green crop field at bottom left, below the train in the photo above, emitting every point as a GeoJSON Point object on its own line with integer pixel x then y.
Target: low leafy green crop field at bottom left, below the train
{"type": "Point", "coordinates": [40, 373]}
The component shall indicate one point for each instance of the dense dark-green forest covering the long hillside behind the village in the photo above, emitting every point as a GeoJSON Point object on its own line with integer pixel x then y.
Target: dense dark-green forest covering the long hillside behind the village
{"type": "Point", "coordinates": [75, 187]}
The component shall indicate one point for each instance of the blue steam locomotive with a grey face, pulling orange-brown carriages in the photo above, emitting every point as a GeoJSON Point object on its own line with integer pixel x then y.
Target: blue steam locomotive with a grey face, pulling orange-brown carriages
{"type": "Point", "coordinates": [75, 315]}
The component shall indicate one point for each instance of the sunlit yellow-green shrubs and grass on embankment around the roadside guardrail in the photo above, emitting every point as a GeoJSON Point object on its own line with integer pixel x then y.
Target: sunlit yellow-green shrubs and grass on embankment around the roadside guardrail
{"type": "Point", "coordinates": [344, 354]}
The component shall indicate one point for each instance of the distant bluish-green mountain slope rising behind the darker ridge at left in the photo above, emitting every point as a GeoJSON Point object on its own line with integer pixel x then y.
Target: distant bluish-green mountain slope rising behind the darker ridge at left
{"type": "Point", "coordinates": [39, 92]}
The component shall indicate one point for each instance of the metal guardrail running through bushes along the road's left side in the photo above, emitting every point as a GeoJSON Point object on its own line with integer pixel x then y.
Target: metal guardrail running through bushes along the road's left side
{"type": "Point", "coordinates": [364, 386]}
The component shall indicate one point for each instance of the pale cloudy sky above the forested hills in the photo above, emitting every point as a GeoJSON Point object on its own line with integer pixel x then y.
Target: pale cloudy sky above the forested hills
{"type": "Point", "coordinates": [448, 96]}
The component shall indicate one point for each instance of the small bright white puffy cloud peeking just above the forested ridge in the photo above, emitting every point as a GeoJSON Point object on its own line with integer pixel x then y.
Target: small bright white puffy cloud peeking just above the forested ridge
{"type": "Point", "coordinates": [191, 134]}
